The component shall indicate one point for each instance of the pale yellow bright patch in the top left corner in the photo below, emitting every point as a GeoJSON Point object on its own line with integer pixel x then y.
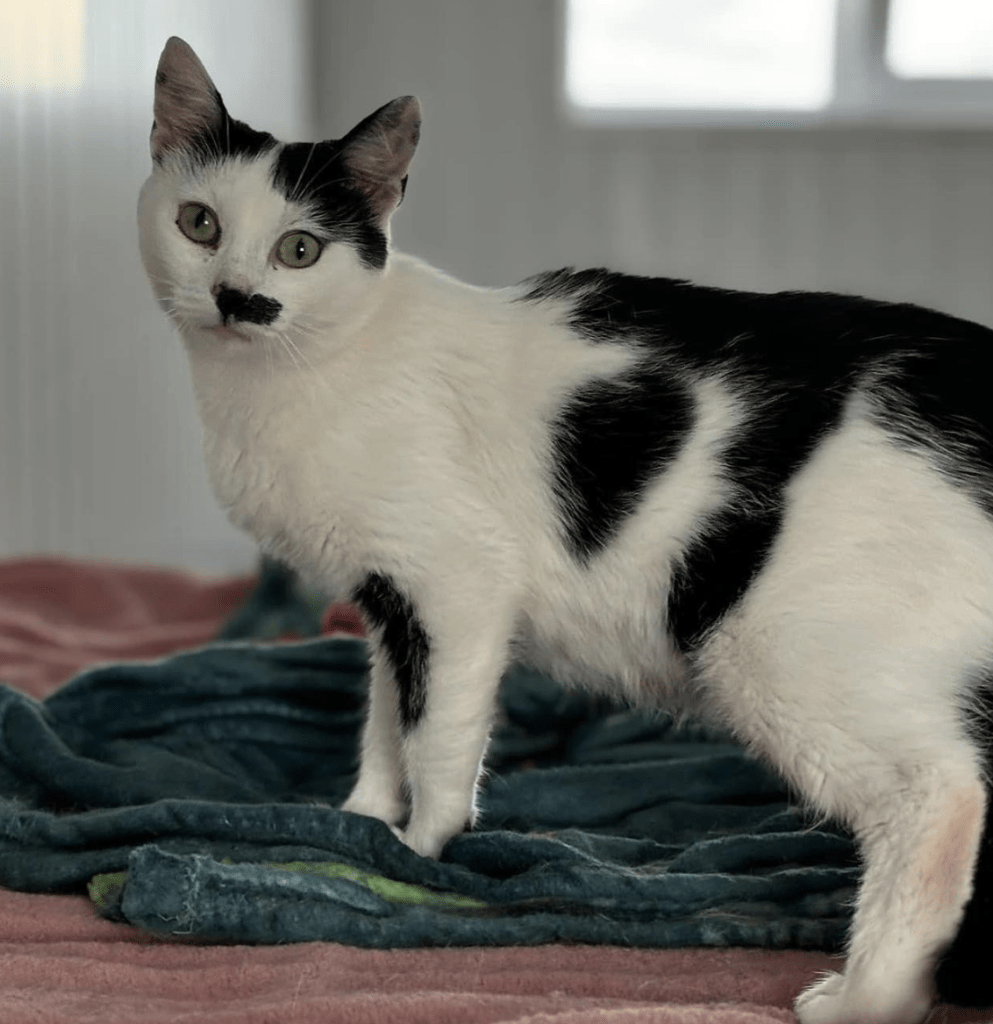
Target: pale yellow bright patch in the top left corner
{"type": "Point", "coordinates": [41, 45]}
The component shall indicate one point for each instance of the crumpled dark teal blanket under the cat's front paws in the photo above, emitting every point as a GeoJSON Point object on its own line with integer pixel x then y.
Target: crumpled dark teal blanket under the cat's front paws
{"type": "Point", "coordinates": [197, 796]}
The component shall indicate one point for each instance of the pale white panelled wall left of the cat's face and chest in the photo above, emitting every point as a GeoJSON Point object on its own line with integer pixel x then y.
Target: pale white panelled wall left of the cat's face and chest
{"type": "Point", "coordinates": [100, 446]}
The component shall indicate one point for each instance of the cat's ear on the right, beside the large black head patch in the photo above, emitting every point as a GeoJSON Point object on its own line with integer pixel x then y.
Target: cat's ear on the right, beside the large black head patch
{"type": "Point", "coordinates": [377, 154]}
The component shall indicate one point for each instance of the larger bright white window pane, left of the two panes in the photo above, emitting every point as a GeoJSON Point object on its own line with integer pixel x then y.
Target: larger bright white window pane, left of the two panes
{"type": "Point", "coordinates": [701, 55]}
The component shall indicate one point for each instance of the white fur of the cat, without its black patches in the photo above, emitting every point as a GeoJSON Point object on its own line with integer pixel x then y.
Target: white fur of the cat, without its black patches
{"type": "Point", "coordinates": [399, 421]}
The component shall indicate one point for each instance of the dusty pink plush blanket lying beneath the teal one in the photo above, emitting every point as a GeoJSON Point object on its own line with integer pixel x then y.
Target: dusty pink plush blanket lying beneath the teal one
{"type": "Point", "coordinates": [60, 964]}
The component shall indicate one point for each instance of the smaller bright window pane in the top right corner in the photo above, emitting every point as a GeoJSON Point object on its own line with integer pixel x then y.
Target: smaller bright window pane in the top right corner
{"type": "Point", "coordinates": [940, 38]}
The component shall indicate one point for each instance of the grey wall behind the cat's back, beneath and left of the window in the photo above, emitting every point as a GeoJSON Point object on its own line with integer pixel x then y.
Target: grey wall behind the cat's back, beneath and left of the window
{"type": "Point", "coordinates": [503, 187]}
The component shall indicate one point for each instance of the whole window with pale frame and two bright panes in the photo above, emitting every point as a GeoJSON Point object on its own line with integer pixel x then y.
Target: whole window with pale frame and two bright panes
{"type": "Point", "coordinates": [780, 63]}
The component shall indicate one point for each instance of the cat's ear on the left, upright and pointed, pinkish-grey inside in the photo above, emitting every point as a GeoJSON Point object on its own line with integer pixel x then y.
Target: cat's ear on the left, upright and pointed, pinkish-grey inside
{"type": "Point", "coordinates": [188, 104]}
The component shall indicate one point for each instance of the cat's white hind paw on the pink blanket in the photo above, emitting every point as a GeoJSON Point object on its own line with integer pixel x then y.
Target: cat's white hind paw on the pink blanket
{"type": "Point", "coordinates": [833, 1001]}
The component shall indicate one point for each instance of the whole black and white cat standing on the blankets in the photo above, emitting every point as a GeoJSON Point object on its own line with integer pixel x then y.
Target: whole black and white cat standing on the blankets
{"type": "Point", "coordinates": [773, 509]}
